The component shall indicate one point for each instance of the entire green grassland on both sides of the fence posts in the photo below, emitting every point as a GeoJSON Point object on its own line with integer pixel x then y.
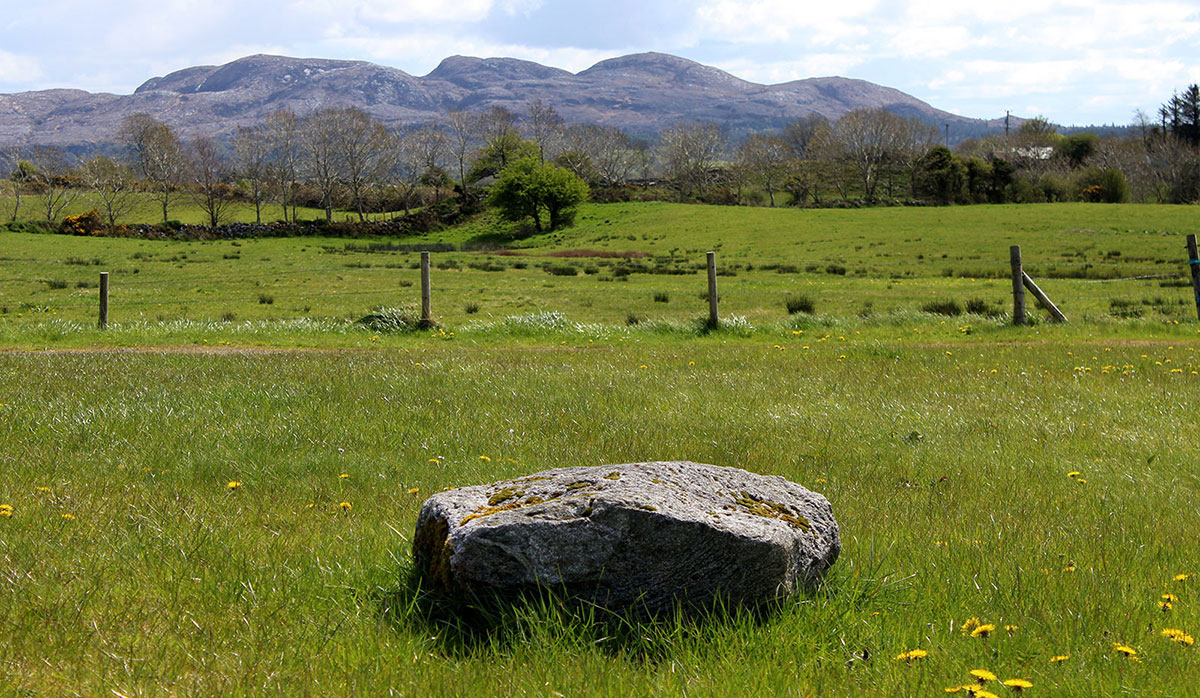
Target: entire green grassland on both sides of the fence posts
{"type": "Point", "coordinates": [1037, 478]}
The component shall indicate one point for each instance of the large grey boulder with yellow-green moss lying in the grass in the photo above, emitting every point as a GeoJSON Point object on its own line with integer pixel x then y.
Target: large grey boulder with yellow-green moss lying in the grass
{"type": "Point", "coordinates": [641, 535]}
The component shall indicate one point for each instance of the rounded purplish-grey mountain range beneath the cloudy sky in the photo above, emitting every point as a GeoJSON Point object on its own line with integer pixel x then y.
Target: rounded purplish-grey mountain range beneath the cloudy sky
{"type": "Point", "coordinates": [640, 94]}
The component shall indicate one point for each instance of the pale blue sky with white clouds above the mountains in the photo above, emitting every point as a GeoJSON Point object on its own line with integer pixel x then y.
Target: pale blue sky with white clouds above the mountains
{"type": "Point", "coordinates": [1073, 62]}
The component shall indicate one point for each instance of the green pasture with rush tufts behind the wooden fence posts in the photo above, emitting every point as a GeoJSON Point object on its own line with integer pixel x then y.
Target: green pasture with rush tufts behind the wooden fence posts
{"type": "Point", "coordinates": [857, 263]}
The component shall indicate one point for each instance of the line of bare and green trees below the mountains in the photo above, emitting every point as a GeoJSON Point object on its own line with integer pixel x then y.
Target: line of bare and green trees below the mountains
{"type": "Point", "coordinates": [535, 167]}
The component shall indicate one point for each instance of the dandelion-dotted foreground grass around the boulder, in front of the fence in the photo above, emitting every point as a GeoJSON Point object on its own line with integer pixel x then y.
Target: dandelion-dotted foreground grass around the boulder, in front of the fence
{"type": "Point", "coordinates": [130, 567]}
